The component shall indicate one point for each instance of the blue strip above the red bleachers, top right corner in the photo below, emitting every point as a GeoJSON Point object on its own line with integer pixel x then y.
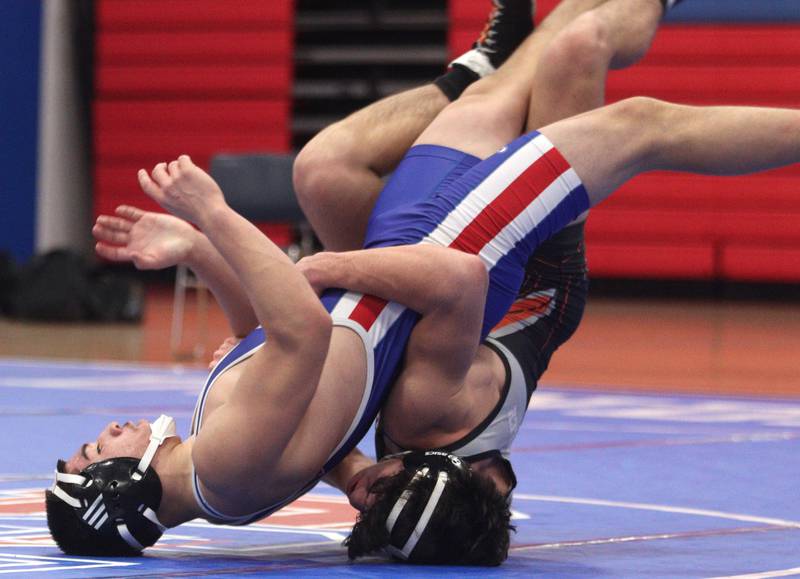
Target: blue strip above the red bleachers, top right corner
{"type": "Point", "coordinates": [736, 11]}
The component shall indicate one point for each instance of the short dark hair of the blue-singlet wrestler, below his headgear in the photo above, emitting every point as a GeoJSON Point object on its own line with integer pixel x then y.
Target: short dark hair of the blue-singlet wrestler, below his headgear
{"type": "Point", "coordinates": [74, 537]}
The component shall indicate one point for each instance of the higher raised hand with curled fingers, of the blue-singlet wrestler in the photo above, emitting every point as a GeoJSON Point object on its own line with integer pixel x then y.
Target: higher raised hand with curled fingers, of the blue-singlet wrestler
{"type": "Point", "coordinates": [183, 189]}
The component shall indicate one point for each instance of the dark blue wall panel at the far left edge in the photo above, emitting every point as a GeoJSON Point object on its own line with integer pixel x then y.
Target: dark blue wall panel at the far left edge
{"type": "Point", "coordinates": [20, 31]}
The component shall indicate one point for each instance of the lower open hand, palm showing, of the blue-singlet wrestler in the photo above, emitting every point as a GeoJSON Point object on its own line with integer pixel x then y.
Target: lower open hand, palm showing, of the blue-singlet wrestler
{"type": "Point", "coordinates": [149, 240]}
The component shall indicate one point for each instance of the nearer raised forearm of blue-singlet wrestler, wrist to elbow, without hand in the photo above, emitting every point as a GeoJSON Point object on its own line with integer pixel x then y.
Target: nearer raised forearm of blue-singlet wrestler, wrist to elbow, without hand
{"type": "Point", "coordinates": [281, 297]}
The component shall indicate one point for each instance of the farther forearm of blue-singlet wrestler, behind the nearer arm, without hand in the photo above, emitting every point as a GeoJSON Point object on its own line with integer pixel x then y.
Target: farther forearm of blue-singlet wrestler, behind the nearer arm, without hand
{"type": "Point", "coordinates": [207, 263]}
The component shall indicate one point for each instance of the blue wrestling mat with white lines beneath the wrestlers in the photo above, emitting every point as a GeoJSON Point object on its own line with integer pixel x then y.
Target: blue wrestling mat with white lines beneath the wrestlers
{"type": "Point", "coordinates": [610, 485]}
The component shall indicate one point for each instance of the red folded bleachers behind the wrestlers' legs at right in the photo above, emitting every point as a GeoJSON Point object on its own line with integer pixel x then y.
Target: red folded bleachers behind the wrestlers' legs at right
{"type": "Point", "coordinates": [670, 225]}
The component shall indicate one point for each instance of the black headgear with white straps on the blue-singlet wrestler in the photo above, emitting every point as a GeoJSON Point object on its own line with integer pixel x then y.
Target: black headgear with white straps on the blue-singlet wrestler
{"type": "Point", "coordinates": [115, 500]}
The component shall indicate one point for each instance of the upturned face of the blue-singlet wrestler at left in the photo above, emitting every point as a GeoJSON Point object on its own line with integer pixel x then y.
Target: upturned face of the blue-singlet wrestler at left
{"type": "Point", "coordinates": [114, 441]}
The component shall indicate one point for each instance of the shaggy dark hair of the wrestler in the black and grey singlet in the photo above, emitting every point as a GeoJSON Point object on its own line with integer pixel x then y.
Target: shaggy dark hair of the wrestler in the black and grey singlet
{"type": "Point", "coordinates": [470, 526]}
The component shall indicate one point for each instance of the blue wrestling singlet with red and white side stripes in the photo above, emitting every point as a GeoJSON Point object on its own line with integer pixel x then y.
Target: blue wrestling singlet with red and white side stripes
{"type": "Point", "coordinates": [500, 209]}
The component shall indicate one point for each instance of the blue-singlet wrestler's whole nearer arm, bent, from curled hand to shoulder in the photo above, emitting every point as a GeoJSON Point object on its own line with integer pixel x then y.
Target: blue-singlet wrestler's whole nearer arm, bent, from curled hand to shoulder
{"type": "Point", "coordinates": [248, 434]}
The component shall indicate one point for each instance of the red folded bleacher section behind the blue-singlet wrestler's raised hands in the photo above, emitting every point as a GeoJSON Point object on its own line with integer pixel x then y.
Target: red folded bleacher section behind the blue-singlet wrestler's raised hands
{"type": "Point", "coordinates": [186, 76]}
